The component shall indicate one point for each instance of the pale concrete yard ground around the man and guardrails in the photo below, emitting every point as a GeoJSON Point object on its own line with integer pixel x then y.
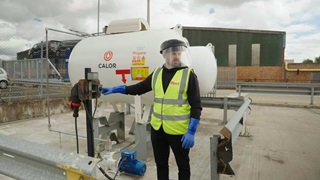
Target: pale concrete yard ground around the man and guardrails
{"type": "Point", "coordinates": [283, 143]}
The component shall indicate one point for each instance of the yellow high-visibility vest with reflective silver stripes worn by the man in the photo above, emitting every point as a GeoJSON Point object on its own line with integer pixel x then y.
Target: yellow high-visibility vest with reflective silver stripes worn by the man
{"type": "Point", "coordinates": [171, 109]}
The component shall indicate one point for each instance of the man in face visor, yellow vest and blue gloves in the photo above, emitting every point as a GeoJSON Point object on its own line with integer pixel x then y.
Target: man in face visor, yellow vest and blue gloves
{"type": "Point", "coordinates": [176, 110]}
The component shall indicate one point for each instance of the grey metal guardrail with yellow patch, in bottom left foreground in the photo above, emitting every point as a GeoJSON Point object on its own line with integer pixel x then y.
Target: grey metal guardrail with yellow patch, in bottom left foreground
{"type": "Point", "coordinates": [21, 159]}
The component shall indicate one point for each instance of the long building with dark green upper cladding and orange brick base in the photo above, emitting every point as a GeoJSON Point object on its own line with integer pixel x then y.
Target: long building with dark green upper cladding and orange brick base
{"type": "Point", "coordinates": [245, 55]}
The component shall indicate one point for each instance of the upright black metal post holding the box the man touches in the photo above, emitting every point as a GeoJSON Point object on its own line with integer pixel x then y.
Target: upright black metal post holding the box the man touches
{"type": "Point", "coordinates": [89, 119]}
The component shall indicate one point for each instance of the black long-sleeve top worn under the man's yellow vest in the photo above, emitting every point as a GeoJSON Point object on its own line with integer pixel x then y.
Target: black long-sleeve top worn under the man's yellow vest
{"type": "Point", "coordinates": [193, 91]}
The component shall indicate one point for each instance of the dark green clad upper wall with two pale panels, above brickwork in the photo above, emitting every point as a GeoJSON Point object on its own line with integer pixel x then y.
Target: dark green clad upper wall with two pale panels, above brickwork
{"type": "Point", "coordinates": [240, 47]}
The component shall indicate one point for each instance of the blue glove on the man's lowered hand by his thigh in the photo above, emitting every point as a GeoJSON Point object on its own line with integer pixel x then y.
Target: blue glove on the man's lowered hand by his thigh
{"type": "Point", "coordinates": [188, 138]}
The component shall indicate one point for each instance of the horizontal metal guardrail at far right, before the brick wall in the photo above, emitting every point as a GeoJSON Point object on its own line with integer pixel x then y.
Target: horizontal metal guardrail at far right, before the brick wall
{"type": "Point", "coordinates": [311, 89]}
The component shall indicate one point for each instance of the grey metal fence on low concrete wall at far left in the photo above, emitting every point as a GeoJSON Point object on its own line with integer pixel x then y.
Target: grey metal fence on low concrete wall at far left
{"type": "Point", "coordinates": [32, 79]}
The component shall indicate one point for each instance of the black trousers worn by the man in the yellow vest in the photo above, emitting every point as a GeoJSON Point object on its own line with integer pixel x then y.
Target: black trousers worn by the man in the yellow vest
{"type": "Point", "coordinates": [161, 143]}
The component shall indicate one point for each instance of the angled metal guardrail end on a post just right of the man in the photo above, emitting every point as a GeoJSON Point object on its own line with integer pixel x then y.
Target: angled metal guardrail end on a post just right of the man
{"type": "Point", "coordinates": [221, 149]}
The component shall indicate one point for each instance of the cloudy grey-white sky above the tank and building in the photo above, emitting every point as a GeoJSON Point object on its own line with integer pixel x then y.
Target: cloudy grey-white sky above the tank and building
{"type": "Point", "coordinates": [23, 22]}
